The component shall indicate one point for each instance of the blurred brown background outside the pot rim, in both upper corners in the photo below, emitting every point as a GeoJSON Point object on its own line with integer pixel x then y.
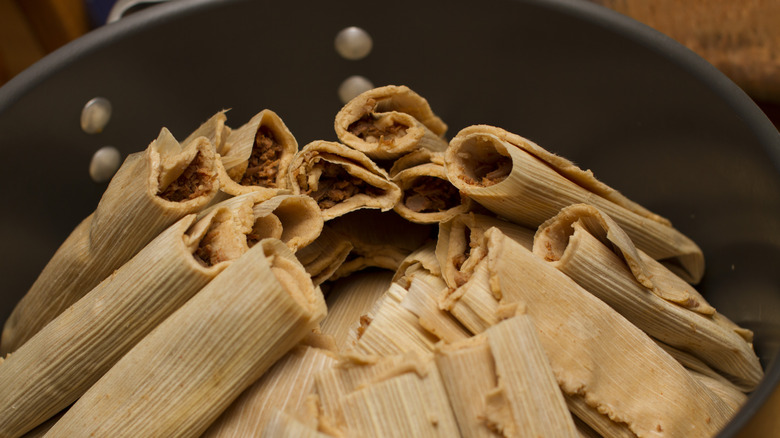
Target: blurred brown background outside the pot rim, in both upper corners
{"type": "Point", "coordinates": [741, 38]}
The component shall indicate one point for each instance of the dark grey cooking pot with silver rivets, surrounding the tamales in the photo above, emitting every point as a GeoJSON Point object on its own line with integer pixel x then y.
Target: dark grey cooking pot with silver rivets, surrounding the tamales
{"type": "Point", "coordinates": [648, 116]}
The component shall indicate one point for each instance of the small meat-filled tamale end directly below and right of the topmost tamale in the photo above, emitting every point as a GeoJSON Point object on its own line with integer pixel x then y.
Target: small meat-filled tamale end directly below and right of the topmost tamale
{"type": "Point", "coordinates": [428, 196]}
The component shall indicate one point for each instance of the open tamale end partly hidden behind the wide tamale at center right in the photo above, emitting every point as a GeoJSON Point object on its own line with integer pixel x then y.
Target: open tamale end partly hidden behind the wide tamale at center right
{"type": "Point", "coordinates": [457, 249]}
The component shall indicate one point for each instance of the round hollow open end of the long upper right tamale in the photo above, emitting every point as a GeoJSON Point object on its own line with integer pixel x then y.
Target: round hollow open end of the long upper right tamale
{"type": "Point", "coordinates": [482, 162]}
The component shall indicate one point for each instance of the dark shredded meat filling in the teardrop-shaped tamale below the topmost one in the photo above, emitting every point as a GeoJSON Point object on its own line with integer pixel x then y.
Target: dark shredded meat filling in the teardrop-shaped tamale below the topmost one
{"type": "Point", "coordinates": [336, 185]}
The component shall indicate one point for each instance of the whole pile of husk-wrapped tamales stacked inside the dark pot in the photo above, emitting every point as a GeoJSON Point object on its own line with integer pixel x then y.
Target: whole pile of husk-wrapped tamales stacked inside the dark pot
{"type": "Point", "coordinates": [507, 293]}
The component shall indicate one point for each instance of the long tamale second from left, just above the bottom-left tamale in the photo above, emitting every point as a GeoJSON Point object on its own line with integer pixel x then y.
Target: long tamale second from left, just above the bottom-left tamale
{"type": "Point", "coordinates": [57, 365]}
